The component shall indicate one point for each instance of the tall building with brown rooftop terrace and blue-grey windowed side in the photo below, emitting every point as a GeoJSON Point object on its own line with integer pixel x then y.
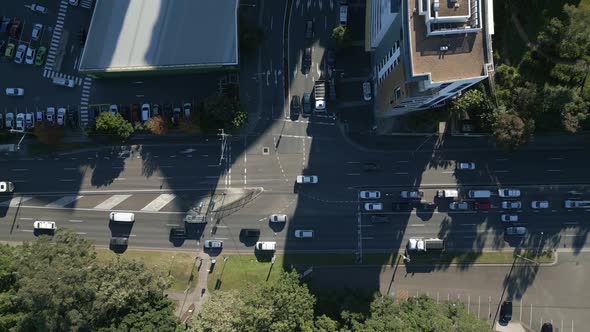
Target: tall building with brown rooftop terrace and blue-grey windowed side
{"type": "Point", "coordinates": [425, 52]}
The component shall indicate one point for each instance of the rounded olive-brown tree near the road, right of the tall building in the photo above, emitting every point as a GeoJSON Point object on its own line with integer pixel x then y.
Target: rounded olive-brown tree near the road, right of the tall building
{"type": "Point", "coordinates": [510, 131]}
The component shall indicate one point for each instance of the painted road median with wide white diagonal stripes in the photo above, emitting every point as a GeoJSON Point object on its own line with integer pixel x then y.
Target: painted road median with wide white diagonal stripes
{"type": "Point", "coordinates": [127, 202]}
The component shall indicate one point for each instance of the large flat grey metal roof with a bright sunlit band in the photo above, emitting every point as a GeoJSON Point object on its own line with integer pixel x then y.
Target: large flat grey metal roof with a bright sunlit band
{"type": "Point", "coordinates": [127, 35]}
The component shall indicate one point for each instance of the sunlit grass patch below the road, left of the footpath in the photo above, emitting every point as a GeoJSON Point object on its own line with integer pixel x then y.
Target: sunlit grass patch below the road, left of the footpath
{"type": "Point", "coordinates": [179, 265]}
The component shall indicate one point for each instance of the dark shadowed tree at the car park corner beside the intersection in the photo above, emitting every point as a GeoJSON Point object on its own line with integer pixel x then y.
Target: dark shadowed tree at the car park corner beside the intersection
{"type": "Point", "coordinates": [223, 112]}
